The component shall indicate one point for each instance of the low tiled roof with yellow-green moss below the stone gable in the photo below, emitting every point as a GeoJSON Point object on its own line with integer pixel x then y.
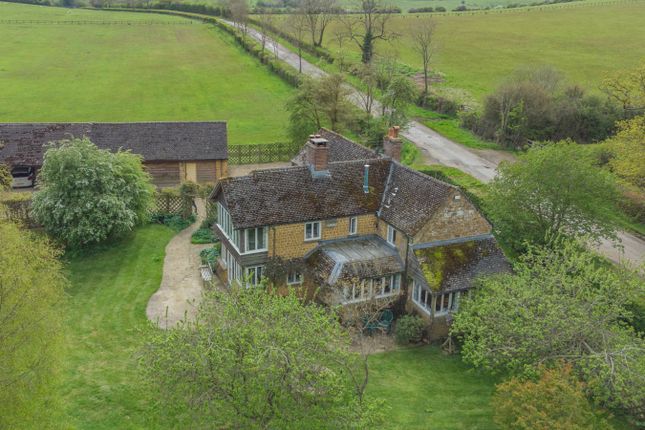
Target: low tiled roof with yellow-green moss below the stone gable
{"type": "Point", "coordinates": [455, 266]}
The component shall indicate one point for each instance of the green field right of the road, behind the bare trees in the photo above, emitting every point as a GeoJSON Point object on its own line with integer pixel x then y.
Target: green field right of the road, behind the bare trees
{"type": "Point", "coordinates": [476, 52]}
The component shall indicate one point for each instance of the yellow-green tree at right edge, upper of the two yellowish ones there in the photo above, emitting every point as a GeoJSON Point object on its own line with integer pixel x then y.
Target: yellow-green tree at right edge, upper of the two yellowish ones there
{"type": "Point", "coordinates": [628, 89]}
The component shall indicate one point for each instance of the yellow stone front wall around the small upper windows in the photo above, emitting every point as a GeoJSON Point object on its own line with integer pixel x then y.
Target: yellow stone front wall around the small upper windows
{"type": "Point", "coordinates": [288, 240]}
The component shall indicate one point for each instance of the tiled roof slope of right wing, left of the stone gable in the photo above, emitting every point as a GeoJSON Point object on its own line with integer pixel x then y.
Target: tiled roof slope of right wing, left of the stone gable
{"type": "Point", "coordinates": [411, 197]}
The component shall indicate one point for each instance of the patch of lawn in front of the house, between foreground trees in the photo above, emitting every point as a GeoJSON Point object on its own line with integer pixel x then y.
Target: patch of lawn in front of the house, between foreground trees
{"type": "Point", "coordinates": [426, 389]}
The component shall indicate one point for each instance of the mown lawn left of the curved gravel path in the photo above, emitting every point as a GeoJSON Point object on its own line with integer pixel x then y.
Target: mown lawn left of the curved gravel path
{"type": "Point", "coordinates": [107, 302]}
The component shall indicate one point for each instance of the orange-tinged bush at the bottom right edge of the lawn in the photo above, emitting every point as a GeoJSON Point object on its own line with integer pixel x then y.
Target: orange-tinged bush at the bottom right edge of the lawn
{"type": "Point", "coordinates": [555, 401]}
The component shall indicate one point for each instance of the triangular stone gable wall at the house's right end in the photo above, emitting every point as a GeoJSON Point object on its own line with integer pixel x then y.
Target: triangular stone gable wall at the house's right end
{"type": "Point", "coordinates": [456, 218]}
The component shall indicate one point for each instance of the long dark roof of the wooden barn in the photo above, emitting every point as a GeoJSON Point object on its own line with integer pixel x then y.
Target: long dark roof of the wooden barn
{"type": "Point", "coordinates": [23, 143]}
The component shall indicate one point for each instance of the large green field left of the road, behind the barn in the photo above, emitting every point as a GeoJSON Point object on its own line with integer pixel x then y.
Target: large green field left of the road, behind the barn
{"type": "Point", "coordinates": [91, 72]}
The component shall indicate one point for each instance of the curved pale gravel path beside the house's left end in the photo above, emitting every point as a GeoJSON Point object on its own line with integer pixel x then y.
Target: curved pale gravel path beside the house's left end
{"type": "Point", "coordinates": [181, 286]}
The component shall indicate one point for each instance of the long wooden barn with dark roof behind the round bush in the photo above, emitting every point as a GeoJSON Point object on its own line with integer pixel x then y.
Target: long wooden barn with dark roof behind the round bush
{"type": "Point", "coordinates": [172, 152]}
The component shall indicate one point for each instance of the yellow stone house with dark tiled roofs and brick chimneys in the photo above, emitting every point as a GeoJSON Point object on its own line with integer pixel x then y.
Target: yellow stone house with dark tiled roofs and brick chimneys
{"type": "Point", "coordinates": [362, 224]}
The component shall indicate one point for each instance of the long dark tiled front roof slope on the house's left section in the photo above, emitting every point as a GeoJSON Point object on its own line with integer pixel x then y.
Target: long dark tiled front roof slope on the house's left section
{"type": "Point", "coordinates": [293, 194]}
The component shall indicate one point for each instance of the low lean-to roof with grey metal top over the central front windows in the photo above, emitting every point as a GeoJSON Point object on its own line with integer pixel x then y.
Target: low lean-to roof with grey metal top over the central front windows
{"type": "Point", "coordinates": [363, 257]}
